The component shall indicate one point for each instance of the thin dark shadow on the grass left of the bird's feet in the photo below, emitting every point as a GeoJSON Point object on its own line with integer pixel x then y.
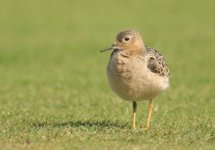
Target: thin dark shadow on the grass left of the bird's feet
{"type": "Point", "coordinates": [83, 123]}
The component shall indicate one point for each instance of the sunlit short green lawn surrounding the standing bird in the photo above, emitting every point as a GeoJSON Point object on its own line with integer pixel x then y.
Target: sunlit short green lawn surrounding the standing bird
{"type": "Point", "coordinates": [53, 88]}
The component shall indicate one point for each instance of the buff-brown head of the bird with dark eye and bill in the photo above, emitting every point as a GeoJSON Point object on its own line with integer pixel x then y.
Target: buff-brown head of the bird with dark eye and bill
{"type": "Point", "coordinates": [127, 40]}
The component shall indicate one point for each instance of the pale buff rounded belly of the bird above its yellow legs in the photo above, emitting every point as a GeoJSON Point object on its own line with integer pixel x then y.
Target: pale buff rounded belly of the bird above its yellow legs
{"type": "Point", "coordinates": [135, 82]}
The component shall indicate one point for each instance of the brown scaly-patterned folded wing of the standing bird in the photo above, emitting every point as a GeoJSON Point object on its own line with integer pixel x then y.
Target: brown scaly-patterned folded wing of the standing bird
{"type": "Point", "coordinates": [156, 62]}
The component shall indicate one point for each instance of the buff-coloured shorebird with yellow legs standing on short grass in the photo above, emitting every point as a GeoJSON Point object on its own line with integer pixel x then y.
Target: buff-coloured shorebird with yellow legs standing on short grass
{"type": "Point", "coordinates": [136, 72]}
